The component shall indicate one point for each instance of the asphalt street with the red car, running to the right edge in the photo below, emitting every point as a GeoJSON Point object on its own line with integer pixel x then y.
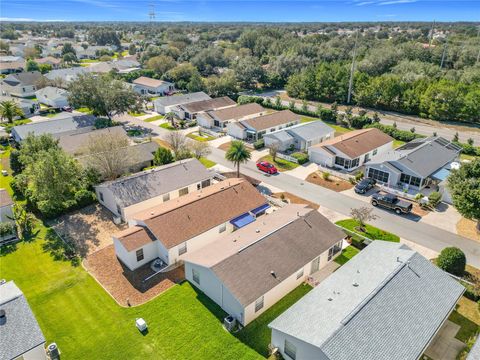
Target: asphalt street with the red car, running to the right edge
{"type": "Point", "coordinates": [406, 227]}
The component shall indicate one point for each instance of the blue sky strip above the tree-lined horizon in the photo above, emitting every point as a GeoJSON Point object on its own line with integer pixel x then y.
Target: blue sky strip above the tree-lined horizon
{"type": "Point", "coordinates": [241, 10]}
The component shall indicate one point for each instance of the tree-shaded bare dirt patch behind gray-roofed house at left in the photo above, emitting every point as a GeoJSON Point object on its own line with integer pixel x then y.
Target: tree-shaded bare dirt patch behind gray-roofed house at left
{"type": "Point", "coordinates": [89, 229]}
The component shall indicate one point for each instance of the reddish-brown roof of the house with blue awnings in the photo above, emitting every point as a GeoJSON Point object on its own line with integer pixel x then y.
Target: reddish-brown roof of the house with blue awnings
{"type": "Point", "coordinates": [178, 220]}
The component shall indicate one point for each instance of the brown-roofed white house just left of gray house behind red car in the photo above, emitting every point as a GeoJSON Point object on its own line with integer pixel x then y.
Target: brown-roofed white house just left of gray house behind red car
{"type": "Point", "coordinates": [255, 128]}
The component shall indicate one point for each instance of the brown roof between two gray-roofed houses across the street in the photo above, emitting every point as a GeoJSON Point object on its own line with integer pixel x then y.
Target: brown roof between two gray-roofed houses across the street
{"type": "Point", "coordinates": [357, 142]}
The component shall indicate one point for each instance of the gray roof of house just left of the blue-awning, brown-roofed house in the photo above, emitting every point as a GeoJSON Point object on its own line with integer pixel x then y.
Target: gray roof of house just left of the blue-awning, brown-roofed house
{"type": "Point", "coordinates": [150, 183]}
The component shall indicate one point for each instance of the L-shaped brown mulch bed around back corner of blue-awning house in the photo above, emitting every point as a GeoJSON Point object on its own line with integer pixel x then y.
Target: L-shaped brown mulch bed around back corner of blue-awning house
{"type": "Point", "coordinates": [127, 286]}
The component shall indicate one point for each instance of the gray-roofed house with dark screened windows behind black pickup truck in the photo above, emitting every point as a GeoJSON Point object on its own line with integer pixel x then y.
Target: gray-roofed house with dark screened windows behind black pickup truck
{"type": "Point", "coordinates": [416, 164]}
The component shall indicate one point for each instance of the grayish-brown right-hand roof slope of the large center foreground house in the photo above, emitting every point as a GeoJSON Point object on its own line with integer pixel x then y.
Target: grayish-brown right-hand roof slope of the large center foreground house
{"type": "Point", "coordinates": [247, 274]}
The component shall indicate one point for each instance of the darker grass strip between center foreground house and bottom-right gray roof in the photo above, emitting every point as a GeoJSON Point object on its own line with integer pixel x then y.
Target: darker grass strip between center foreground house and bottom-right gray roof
{"type": "Point", "coordinates": [257, 335]}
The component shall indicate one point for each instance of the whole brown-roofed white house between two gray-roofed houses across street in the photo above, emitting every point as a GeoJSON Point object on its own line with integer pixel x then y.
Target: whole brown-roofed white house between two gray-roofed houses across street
{"type": "Point", "coordinates": [351, 150]}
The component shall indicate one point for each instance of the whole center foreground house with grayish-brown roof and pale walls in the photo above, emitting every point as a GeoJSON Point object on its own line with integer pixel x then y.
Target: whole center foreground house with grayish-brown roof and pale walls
{"type": "Point", "coordinates": [248, 271]}
